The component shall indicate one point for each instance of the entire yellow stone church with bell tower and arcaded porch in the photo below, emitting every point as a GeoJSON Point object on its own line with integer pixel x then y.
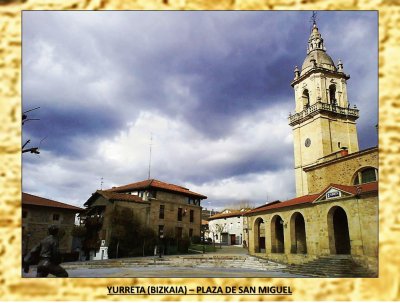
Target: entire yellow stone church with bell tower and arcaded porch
{"type": "Point", "coordinates": [336, 208]}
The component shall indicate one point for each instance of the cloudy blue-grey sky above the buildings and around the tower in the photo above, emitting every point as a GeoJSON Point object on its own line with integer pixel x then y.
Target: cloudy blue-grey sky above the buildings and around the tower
{"type": "Point", "coordinates": [212, 89]}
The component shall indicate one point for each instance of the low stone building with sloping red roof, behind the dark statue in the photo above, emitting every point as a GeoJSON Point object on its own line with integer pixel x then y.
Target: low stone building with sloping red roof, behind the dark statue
{"type": "Point", "coordinates": [39, 213]}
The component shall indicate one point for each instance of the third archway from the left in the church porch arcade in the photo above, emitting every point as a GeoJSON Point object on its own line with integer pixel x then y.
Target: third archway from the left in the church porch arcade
{"type": "Point", "coordinates": [298, 234]}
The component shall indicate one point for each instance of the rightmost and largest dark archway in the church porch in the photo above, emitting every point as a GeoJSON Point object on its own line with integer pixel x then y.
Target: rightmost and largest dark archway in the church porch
{"type": "Point", "coordinates": [338, 229]}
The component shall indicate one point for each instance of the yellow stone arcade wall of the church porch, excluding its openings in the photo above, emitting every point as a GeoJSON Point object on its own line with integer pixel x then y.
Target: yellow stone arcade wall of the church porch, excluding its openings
{"type": "Point", "coordinates": [362, 216]}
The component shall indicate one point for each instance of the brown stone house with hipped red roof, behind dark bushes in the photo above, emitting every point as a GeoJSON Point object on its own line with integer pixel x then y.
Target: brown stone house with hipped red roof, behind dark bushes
{"type": "Point", "coordinates": [170, 210]}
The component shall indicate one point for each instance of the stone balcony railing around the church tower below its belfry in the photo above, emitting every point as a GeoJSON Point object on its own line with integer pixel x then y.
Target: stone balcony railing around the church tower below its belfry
{"type": "Point", "coordinates": [319, 107]}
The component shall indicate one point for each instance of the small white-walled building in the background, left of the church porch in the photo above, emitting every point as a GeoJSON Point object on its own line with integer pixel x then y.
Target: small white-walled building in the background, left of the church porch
{"type": "Point", "coordinates": [227, 227]}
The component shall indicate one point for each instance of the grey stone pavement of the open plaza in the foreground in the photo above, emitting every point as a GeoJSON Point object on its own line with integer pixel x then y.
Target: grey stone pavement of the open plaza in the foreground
{"type": "Point", "coordinates": [230, 261]}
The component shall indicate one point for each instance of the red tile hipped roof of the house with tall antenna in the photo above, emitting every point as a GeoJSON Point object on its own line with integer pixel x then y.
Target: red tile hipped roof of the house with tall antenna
{"type": "Point", "coordinates": [153, 183]}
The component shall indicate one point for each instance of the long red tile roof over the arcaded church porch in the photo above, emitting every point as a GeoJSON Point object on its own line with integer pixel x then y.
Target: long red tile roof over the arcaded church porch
{"type": "Point", "coordinates": [351, 189]}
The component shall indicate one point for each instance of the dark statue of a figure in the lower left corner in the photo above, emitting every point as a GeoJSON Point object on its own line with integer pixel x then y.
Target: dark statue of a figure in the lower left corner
{"type": "Point", "coordinates": [47, 256]}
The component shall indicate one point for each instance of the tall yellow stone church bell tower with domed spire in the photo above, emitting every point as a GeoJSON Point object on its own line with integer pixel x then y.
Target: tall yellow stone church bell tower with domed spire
{"type": "Point", "coordinates": [323, 123]}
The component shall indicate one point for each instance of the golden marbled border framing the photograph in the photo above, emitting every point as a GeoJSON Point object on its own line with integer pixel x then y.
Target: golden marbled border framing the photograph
{"type": "Point", "coordinates": [13, 288]}
